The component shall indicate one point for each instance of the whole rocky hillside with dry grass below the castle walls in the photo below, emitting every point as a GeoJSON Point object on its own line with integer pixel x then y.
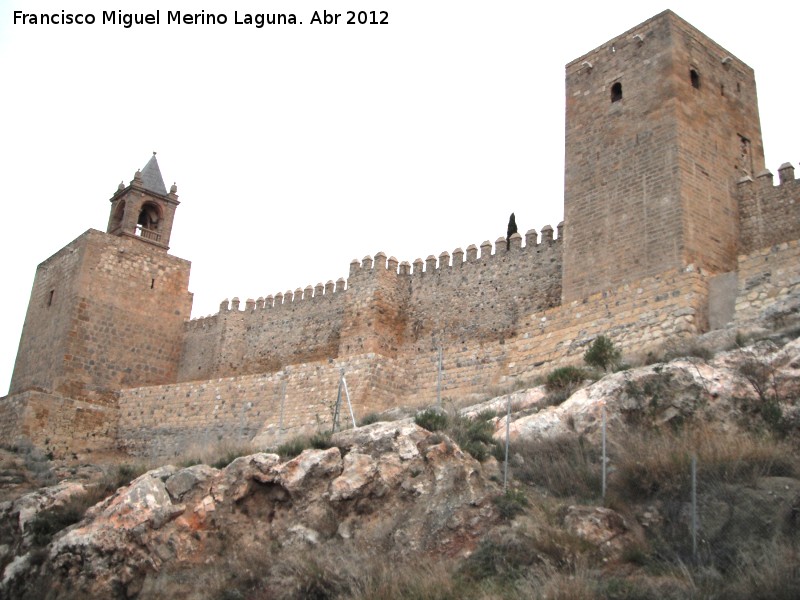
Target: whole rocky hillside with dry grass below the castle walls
{"type": "Point", "coordinates": [403, 509]}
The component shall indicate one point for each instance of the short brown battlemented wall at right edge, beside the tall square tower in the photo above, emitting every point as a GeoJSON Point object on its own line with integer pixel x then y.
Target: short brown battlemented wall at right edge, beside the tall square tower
{"type": "Point", "coordinates": [769, 214]}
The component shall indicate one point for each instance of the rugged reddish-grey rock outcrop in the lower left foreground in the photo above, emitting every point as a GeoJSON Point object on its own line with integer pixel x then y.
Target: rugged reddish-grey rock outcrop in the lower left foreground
{"type": "Point", "coordinates": [390, 487]}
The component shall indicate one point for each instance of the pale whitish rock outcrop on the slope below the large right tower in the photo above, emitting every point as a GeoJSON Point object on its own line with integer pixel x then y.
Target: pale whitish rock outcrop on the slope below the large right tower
{"type": "Point", "coordinates": [722, 392]}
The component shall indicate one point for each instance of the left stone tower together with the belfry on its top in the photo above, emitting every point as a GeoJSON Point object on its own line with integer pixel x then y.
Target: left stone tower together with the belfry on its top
{"type": "Point", "coordinates": [107, 311]}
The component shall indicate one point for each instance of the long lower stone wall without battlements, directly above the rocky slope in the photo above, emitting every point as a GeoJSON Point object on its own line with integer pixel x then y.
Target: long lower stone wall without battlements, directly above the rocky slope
{"type": "Point", "coordinates": [172, 419]}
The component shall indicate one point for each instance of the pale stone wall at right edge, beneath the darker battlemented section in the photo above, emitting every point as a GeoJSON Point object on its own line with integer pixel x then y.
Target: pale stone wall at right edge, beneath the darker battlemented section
{"type": "Point", "coordinates": [765, 278]}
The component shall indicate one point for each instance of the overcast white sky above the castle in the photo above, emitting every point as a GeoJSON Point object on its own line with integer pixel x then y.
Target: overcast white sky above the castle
{"type": "Point", "coordinates": [298, 148]}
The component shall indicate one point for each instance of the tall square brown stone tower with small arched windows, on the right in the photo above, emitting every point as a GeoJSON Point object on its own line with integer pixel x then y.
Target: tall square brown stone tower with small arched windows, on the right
{"type": "Point", "coordinates": [660, 124]}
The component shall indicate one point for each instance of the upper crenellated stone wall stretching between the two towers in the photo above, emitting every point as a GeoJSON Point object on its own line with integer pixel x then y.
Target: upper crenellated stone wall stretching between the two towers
{"type": "Point", "coordinates": [386, 308]}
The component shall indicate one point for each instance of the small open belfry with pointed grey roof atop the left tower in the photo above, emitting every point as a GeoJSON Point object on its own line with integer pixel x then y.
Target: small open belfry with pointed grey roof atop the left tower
{"type": "Point", "coordinates": [144, 209]}
